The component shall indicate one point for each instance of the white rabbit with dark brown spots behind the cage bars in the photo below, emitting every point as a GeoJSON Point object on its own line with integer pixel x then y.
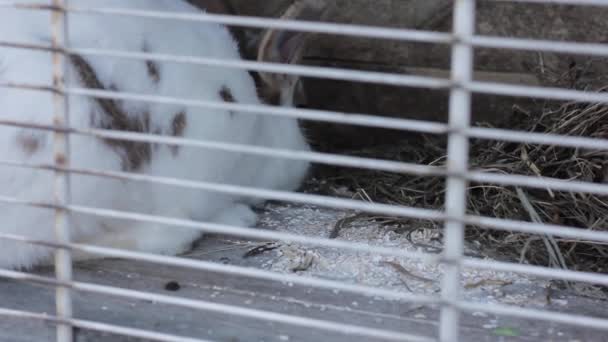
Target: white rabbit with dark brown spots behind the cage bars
{"type": "Point", "coordinates": [145, 77]}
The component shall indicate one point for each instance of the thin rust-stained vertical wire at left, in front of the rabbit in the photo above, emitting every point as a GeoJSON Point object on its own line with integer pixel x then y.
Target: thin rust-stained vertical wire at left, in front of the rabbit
{"type": "Point", "coordinates": [61, 182]}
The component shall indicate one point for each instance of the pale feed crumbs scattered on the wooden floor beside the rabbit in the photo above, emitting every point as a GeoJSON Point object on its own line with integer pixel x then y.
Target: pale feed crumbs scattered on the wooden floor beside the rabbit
{"type": "Point", "coordinates": [387, 272]}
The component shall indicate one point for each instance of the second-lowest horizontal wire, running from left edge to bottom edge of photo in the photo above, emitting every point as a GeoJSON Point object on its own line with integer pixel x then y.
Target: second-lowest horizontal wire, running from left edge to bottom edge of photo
{"type": "Point", "coordinates": [266, 316]}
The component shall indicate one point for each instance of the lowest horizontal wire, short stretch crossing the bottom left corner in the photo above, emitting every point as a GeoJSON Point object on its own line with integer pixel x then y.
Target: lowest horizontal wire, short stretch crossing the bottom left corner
{"type": "Point", "coordinates": [98, 326]}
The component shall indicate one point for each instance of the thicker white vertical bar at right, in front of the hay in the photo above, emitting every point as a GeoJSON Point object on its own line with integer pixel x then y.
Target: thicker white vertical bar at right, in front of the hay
{"type": "Point", "coordinates": [457, 165]}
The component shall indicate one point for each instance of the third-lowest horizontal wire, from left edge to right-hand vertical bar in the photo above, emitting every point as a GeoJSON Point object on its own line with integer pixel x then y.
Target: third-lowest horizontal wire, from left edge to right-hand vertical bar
{"type": "Point", "coordinates": [230, 269]}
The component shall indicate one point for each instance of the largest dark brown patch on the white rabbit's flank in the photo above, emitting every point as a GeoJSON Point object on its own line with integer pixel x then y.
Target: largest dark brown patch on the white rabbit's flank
{"type": "Point", "coordinates": [133, 154]}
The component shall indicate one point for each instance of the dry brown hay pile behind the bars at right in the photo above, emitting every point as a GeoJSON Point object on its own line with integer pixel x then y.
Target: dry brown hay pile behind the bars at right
{"type": "Point", "coordinates": [546, 206]}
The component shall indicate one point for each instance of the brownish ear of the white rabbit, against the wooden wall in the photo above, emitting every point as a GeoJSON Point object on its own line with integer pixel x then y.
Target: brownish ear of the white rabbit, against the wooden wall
{"type": "Point", "coordinates": [287, 47]}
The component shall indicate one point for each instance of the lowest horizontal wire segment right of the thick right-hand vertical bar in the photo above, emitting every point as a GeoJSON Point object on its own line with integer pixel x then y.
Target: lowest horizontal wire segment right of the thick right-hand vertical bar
{"type": "Point", "coordinates": [542, 315]}
